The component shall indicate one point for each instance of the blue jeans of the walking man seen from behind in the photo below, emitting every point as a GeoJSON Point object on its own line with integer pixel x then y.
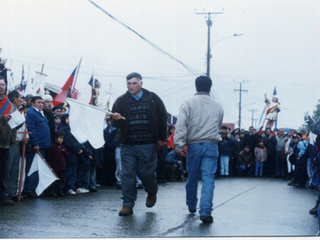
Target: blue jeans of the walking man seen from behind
{"type": "Point", "coordinates": [201, 156]}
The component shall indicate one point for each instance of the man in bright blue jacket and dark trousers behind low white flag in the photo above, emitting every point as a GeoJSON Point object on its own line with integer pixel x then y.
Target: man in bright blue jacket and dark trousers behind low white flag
{"type": "Point", "coordinates": [40, 141]}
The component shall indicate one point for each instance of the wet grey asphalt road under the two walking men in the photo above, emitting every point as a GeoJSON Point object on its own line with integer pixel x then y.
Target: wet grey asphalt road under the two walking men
{"type": "Point", "coordinates": [242, 207]}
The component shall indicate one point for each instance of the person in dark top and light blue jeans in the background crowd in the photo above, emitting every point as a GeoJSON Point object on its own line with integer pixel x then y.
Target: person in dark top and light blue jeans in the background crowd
{"type": "Point", "coordinates": [226, 153]}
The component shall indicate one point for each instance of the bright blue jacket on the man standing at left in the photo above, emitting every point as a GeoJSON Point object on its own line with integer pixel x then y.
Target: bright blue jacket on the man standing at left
{"type": "Point", "coordinates": [38, 125]}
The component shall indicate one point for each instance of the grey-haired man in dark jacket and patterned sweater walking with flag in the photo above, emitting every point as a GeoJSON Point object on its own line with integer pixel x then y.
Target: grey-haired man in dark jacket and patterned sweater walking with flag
{"type": "Point", "coordinates": [143, 131]}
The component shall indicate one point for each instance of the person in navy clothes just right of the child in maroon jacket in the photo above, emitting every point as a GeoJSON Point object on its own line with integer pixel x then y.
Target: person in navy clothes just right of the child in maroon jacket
{"type": "Point", "coordinates": [74, 149]}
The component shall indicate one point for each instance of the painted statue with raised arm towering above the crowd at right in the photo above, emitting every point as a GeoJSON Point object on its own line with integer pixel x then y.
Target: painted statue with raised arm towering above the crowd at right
{"type": "Point", "coordinates": [272, 109]}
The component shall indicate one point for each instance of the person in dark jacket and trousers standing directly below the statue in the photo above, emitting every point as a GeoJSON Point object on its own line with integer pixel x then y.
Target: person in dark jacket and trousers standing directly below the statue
{"type": "Point", "coordinates": [270, 142]}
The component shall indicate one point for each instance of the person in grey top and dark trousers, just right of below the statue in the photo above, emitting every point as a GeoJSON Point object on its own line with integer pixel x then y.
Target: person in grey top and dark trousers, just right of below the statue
{"type": "Point", "coordinates": [279, 164]}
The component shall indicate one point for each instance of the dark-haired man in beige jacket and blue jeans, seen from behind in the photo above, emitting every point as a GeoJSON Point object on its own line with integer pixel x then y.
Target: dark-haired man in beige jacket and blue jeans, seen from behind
{"type": "Point", "coordinates": [199, 120]}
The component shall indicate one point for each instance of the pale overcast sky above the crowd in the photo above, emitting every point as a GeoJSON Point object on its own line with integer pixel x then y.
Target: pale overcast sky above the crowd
{"type": "Point", "coordinates": [279, 47]}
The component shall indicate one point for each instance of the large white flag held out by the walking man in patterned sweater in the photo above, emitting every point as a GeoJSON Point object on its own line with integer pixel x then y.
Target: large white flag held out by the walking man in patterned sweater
{"type": "Point", "coordinates": [86, 122]}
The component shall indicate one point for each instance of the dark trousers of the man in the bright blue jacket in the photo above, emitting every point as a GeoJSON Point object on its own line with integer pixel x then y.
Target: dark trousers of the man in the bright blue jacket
{"type": "Point", "coordinates": [32, 182]}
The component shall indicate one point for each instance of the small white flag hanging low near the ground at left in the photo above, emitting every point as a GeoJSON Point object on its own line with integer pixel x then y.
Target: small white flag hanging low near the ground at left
{"type": "Point", "coordinates": [46, 177]}
